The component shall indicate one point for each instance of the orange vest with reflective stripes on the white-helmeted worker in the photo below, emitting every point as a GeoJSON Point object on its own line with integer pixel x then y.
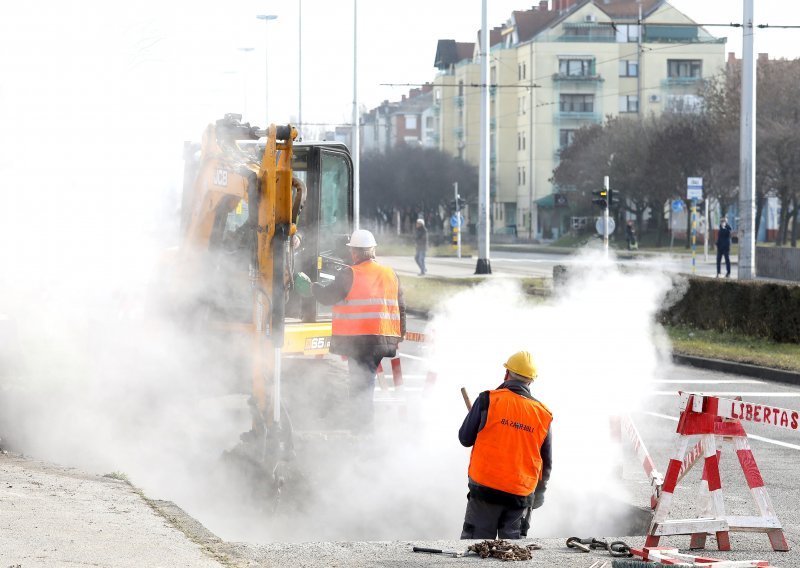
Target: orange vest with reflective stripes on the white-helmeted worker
{"type": "Point", "coordinates": [371, 306]}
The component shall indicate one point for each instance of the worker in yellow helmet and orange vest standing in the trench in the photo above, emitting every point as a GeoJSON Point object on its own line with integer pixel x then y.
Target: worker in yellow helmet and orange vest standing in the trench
{"type": "Point", "coordinates": [509, 432]}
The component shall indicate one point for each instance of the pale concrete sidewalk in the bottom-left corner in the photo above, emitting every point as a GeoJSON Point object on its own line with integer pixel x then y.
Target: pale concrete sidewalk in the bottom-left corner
{"type": "Point", "coordinates": [57, 516]}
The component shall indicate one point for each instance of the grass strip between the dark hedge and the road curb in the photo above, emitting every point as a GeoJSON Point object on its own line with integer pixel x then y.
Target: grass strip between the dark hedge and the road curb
{"type": "Point", "coordinates": [732, 346]}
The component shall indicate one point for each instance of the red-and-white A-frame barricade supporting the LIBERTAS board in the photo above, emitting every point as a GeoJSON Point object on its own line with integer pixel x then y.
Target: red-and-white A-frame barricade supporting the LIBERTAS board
{"type": "Point", "coordinates": [716, 420]}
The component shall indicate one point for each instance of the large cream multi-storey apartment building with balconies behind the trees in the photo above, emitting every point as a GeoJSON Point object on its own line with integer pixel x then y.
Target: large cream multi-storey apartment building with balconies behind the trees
{"type": "Point", "coordinates": [554, 69]}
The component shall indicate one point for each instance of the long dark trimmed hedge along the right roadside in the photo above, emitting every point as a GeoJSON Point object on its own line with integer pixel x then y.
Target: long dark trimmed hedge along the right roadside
{"type": "Point", "coordinates": [762, 309]}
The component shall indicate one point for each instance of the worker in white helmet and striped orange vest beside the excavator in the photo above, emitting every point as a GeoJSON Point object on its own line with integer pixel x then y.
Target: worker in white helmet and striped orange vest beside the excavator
{"type": "Point", "coordinates": [369, 319]}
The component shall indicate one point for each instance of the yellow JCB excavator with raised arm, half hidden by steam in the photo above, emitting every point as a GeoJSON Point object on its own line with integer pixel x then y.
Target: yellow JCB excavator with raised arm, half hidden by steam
{"type": "Point", "coordinates": [257, 207]}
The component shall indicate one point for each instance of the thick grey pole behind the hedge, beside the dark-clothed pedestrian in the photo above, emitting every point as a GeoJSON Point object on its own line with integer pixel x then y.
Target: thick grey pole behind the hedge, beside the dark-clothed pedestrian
{"type": "Point", "coordinates": [747, 174]}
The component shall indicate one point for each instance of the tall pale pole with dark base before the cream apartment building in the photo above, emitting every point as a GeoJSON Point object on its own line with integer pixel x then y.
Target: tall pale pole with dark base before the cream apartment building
{"type": "Point", "coordinates": [484, 264]}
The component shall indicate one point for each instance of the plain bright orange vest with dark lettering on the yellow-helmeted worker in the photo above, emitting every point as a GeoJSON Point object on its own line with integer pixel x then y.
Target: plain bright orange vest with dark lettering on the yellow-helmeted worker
{"type": "Point", "coordinates": [506, 455]}
